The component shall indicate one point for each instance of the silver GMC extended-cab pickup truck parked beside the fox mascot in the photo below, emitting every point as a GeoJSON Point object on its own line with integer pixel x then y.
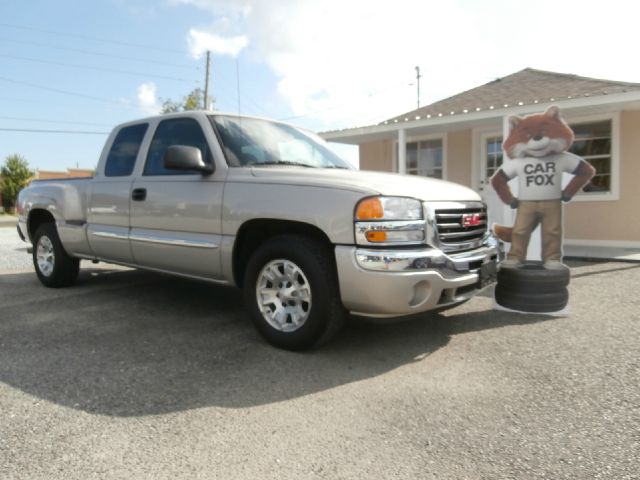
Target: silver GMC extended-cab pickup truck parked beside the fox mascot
{"type": "Point", "coordinates": [266, 207]}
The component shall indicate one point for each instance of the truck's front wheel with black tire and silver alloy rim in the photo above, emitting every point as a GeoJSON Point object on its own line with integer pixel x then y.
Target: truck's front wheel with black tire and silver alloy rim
{"type": "Point", "coordinates": [304, 274]}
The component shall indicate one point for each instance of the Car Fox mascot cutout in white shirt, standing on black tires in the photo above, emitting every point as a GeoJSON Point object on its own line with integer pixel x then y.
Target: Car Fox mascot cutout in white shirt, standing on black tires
{"type": "Point", "coordinates": [537, 146]}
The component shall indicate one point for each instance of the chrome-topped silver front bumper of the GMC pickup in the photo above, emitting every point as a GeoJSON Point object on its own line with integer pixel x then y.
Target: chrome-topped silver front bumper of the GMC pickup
{"type": "Point", "coordinates": [390, 283]}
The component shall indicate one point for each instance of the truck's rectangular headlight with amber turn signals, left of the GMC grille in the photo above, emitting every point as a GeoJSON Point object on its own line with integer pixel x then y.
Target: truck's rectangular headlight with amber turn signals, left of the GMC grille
{"type": "Point", "coordinates": [389, 221]}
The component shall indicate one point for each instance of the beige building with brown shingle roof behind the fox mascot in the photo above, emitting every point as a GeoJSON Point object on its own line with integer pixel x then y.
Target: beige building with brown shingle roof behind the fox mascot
{"type": "Point", "coordinates": [459, 139]}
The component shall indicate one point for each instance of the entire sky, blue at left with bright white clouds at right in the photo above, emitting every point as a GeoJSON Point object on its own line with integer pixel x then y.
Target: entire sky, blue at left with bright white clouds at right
{"type": "Point", "coordinates": [85, 66]}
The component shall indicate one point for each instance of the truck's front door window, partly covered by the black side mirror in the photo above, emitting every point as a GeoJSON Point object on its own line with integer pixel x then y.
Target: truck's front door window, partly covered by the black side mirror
{"type": "Point", "coordinates": [178, 131]}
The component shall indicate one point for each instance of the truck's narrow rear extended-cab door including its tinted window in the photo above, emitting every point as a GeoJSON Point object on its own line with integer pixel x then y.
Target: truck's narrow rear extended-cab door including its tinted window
{"type": "Point", "coordinates": [109, 202]}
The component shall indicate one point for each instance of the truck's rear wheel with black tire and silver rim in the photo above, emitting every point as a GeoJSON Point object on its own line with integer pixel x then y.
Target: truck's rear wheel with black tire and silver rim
{"type": "Point", "coordinates": [55, 267]}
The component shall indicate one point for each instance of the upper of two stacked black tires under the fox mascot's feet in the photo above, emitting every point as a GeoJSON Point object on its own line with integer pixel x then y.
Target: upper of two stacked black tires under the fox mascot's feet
{"type": "Point", "coordinates": [531, 278]}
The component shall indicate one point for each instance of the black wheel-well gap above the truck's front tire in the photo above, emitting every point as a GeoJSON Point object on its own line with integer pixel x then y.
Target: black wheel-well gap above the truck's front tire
{"type": "Point", "coordinates": [257, 231]}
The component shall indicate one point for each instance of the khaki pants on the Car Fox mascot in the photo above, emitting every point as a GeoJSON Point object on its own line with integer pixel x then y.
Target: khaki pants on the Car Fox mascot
{"type": "Point", "coordinates": [529, 215]}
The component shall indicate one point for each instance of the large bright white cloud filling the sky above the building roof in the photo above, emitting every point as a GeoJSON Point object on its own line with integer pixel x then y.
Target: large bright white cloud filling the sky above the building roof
{"type": "Point", "coordinates": [352, 62]}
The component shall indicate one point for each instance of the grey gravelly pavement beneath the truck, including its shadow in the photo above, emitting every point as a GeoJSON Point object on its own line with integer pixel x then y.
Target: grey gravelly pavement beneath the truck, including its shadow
{"type": "Point", "coordinates": [130, 375]}
